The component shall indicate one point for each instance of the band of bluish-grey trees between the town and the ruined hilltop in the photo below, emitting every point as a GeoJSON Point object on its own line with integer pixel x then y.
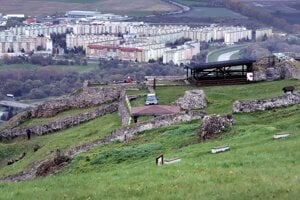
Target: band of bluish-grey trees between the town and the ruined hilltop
{"type": "Point", "coordinates": [46, 81]}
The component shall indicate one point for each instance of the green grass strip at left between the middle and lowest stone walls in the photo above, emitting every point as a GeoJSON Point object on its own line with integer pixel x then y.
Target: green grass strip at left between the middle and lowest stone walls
{"type": "Point", "coordinates": [64, 140]}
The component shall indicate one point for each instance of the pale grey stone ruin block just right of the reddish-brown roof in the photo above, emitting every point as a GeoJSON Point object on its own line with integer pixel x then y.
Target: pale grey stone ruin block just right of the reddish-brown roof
{"type": "Point", "coordinates": [192, 99]}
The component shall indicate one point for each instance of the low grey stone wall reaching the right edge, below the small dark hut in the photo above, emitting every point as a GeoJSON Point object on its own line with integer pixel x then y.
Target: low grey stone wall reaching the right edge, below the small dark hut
{"type": "Point", "coordinates": [265, 104]}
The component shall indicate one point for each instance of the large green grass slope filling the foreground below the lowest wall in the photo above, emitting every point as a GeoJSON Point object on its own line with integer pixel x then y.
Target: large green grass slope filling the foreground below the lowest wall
{"type": "Point", "coordinates": [256, 167]}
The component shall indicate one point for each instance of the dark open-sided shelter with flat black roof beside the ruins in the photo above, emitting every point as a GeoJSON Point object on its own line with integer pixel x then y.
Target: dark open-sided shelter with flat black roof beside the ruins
{"type": "Point", "coordinates": [223, 72]}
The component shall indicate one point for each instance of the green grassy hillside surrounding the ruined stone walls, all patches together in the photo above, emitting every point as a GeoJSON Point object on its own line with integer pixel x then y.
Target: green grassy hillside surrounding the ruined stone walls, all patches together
{"type": "Point", "coordinates": [256, 167]}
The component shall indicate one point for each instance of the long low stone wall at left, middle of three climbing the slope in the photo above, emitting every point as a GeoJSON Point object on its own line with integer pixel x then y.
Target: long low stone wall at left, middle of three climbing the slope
{"type": "Point", "coordinates": [59, 124]}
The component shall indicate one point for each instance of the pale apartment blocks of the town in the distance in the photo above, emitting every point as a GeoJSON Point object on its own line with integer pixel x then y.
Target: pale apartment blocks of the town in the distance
{"type": "Point", "coordinates": [104, 36]}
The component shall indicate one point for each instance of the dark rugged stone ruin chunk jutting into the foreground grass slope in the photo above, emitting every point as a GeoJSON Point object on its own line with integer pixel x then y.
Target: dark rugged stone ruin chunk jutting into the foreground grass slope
{"type": "Point", "coordinates": [213, 125]}
